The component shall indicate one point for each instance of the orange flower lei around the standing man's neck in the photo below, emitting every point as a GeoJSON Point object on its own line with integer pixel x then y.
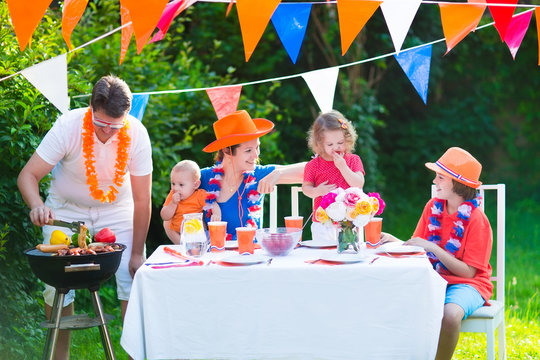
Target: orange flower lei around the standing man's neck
{"type": "Point", "coordinates": [89, 160]}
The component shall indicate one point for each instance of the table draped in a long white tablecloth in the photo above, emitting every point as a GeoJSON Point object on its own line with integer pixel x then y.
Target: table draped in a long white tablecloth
{"type": "Point", "coordinates": [390, 309]}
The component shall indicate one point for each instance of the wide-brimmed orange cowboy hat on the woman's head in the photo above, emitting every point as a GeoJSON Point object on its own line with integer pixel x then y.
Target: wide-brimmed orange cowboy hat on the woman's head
{"type": "Point", "coordinates": [236, 128]}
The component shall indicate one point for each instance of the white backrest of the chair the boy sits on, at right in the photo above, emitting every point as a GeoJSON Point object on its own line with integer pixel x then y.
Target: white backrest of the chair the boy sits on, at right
{"type": "Point", "coordinates": [499, 235]}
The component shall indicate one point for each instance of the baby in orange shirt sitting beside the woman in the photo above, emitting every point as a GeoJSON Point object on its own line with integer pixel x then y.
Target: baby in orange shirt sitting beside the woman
{"type": "Point", "coordinates": [185, 197]}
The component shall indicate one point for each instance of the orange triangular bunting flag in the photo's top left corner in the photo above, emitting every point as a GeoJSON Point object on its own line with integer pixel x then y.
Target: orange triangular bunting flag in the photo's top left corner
{"type": "Point", "coordinates": [25, 17]}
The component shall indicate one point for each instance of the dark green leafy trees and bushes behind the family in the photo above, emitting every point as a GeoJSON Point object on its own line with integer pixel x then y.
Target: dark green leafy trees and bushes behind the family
{"type": "Point", "coordinates": [479, 99]}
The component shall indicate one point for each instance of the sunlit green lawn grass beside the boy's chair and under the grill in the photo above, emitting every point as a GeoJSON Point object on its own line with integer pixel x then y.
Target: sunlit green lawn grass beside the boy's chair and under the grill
{"type": "Point", "coordinates": [522, 299]}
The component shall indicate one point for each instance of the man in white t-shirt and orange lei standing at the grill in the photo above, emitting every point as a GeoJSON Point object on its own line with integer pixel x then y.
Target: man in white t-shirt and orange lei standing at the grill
{"type": "Point", "coordinates": [101, 163]}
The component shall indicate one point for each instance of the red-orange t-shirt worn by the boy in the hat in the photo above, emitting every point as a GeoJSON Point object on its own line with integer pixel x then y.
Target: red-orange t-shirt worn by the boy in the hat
{"type": "Point", "coordinates": [475, 247]}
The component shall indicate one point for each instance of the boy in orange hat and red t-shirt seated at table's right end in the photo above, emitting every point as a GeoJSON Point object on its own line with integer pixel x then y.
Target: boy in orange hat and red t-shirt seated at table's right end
{"type": "Point", "coordinates": [458, 238]}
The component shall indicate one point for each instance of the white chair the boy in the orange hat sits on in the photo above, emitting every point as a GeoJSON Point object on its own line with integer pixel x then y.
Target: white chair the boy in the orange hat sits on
{"type": "Point", "coordinates": [488, 318]}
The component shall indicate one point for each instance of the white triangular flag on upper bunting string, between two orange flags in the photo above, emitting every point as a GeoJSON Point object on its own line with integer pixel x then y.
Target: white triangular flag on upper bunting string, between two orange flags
{"type": "Point", "coordinates": [399, 15]}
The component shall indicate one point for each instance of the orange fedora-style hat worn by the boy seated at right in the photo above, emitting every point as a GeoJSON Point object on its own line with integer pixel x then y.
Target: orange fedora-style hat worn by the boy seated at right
{"type": "Point", "coordinates": [460, 165]}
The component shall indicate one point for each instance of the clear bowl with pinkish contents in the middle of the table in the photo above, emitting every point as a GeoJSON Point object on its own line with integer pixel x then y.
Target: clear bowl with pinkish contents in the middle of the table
{"type": "Point", "coordinates": [278, 241]}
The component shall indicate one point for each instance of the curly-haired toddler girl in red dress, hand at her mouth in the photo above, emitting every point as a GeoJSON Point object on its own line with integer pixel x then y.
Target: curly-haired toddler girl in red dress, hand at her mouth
{"type": "Point", "coordinates": [332, 139]}
